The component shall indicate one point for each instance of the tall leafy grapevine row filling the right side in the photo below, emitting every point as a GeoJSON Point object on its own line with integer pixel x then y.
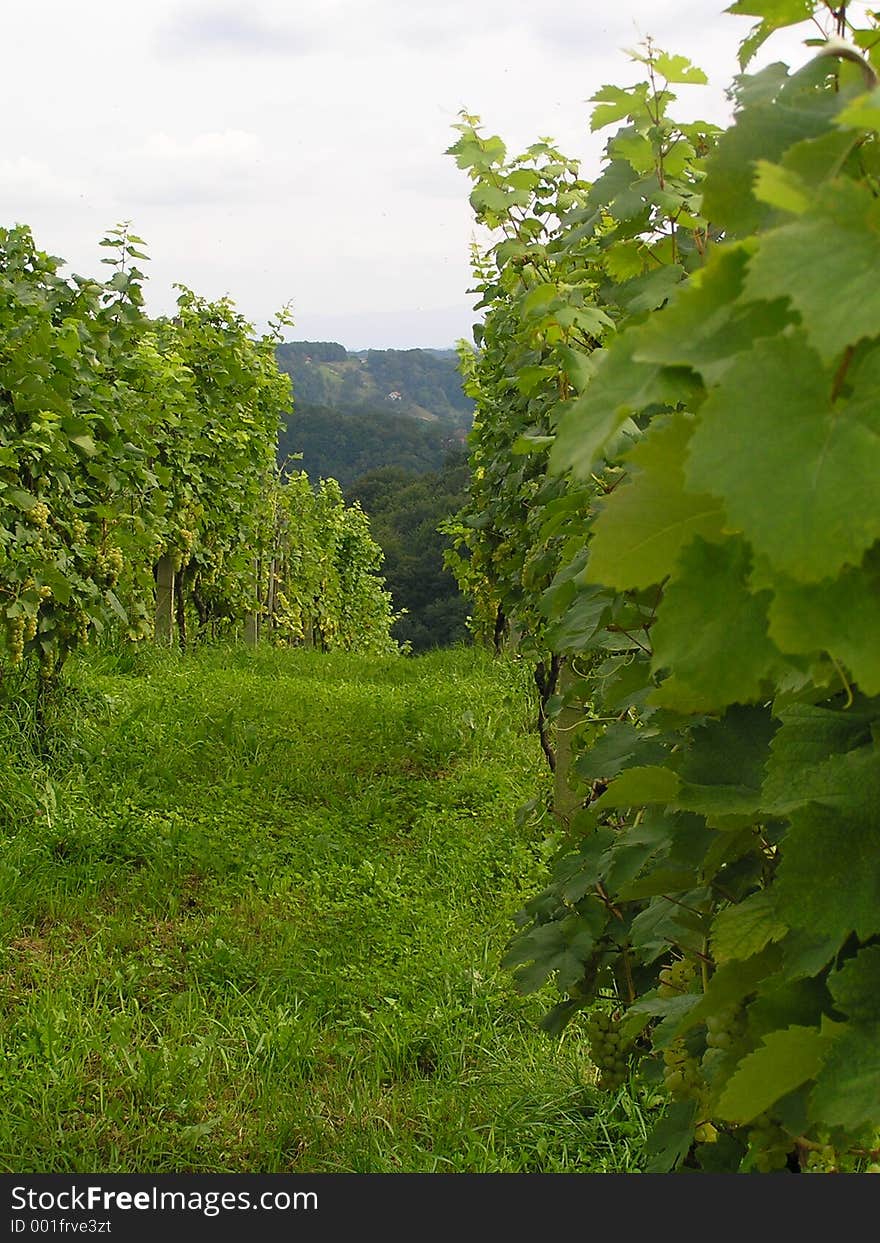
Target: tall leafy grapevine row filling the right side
{"type": "Point", "coordinates": [676, 454]}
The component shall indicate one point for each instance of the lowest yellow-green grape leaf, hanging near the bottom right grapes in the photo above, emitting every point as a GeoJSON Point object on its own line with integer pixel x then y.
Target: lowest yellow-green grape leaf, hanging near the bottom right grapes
{"type": "Point", "coordinates": [785, 1061]}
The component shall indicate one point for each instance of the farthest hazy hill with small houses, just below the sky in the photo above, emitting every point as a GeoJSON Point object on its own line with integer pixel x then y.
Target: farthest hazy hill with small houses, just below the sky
{"type": "Point", "coordinates": [419, 383]}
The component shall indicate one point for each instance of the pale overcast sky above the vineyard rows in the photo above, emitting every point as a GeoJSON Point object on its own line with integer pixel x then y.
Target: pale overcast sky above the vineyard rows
{"type": "Point", "coordinates": [280, 151]}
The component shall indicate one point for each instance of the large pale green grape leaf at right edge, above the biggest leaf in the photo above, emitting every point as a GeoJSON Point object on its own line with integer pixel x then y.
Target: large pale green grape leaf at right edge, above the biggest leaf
{"type": "Point", "coordinates": [796, 260]}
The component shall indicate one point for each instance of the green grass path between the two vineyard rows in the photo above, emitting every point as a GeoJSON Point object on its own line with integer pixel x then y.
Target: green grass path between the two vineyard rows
{"type": "Point", "coordinates": [254, 906]}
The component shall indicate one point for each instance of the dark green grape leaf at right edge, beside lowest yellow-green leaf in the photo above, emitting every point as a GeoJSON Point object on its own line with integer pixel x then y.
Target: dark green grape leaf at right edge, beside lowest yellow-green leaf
{"type": "Point", "coordinates": [848, 1087]}
